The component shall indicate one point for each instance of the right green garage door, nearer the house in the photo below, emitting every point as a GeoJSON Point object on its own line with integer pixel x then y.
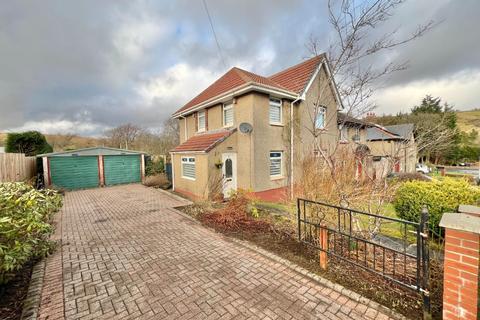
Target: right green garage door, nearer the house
{"type": "Point", "coordinates": [121, 169]}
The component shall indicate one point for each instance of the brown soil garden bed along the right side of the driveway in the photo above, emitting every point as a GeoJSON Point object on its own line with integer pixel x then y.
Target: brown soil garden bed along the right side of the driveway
{"type": "Point", "coordinates": [276, 234]}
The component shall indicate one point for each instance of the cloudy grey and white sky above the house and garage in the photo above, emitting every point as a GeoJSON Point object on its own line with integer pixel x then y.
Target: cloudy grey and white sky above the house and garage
{"type": "Point", "coordinates": [85, 66]}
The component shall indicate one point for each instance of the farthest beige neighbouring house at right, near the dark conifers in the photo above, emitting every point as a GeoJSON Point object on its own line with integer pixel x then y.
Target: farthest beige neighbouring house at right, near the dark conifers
{"type": "Point", "coordinates": [393, 148]}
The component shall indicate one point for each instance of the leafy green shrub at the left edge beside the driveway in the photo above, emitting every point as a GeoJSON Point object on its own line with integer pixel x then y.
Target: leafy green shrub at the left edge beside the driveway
{"type": "Point", "coordinates": [25, 215]}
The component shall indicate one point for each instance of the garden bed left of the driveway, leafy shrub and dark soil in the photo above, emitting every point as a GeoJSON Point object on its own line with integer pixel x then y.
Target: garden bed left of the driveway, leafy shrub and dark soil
{"type": "Point", "coordinates": [25, 229]}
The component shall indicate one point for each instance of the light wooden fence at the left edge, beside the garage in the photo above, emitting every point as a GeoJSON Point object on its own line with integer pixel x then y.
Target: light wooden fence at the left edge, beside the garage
{"type": "Point", "coordinates": [16, 167]}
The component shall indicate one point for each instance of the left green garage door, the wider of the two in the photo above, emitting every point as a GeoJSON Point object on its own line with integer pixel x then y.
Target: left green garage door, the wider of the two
{"type": "Point", "coordinates": [74, 172]}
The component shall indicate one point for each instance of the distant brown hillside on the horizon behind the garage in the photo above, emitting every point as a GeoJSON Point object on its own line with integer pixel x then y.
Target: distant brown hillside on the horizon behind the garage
{"type": "Point", "coordinates": [65, 142]}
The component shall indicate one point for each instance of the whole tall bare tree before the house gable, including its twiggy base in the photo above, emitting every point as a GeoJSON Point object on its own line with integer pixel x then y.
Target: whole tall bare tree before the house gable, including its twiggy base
{"type": "Point", "coordinates": [356, 69]}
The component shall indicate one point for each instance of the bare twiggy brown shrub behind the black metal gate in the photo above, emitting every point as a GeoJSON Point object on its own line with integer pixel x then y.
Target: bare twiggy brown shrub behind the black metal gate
{"type": "Point", "coordinates": [347, 181]}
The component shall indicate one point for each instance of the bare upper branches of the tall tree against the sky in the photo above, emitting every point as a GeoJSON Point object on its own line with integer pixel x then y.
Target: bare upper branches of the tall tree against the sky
{"type": "Point", "coordinates": [354, 53]}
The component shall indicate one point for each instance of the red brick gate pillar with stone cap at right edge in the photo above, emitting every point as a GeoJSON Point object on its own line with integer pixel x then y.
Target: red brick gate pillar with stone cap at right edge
{"type": "Point", "coordinates": [461, 265]}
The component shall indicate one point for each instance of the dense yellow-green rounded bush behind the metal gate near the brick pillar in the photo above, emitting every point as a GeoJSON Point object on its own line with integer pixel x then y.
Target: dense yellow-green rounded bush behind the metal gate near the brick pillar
{"type": "Point", "coordinates": [439, 196]}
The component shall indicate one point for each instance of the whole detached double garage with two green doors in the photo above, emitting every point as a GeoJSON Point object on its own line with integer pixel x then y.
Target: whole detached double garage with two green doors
{"type": "Point", "coordinates": [92, 168]}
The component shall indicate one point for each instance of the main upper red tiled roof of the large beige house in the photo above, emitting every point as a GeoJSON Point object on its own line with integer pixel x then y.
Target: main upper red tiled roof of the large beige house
{"type": "Point", "coordinates": [293, 79]}
